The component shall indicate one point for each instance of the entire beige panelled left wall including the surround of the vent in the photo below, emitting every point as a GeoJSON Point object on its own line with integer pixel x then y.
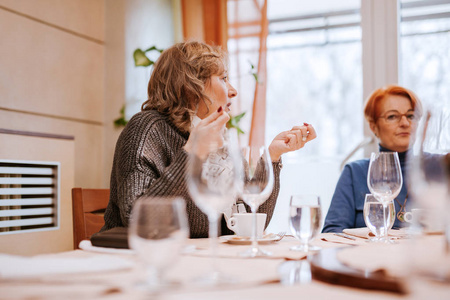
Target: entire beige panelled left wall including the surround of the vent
{"type": "Point", "coordinates": [52, 81]}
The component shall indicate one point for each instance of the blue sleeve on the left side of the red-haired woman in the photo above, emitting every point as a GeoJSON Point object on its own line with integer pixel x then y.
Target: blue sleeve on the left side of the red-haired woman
{"type": "Point", "coordinates": [341, 213]}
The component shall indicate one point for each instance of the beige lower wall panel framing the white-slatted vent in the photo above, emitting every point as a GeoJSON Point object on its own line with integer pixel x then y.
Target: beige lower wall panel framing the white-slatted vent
{"type": "Point", "coordinates": [42, 149]}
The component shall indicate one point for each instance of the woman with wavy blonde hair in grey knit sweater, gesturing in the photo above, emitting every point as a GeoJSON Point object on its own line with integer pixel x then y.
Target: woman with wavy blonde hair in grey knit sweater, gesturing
{"type": "Point", "coordinates": [188, 96]}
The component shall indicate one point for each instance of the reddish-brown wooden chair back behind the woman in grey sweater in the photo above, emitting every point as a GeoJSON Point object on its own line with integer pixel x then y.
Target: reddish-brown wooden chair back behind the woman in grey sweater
{"type": "Point", "coordinates": [88, 207]}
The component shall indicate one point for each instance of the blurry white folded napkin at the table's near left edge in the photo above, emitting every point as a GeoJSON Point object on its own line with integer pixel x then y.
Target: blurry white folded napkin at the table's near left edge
{"type": "Point", "coordinates": [14, 266]}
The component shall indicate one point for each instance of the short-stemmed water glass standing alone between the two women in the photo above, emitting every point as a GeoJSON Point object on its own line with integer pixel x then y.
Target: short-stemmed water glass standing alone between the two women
{"type": "Point", "coordinates": [304, 217]}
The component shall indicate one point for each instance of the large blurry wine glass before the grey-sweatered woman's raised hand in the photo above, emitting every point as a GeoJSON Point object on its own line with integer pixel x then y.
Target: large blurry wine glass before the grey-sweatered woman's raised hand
{"type": "Point", "coordinates": [214, 181]}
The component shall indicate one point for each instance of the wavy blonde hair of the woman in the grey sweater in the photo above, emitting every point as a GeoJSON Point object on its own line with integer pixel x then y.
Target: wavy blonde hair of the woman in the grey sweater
{"type": "Point", "coordinates": [177, 83]}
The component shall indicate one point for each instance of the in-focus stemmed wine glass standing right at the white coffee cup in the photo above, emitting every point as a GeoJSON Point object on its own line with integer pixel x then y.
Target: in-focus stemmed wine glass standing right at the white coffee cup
{"type": "Point", "coordinates": [258, 185]}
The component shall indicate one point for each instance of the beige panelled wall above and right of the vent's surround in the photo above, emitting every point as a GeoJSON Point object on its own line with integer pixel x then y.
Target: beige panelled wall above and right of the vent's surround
{"type": "Point", "coordinates": [52, 74]}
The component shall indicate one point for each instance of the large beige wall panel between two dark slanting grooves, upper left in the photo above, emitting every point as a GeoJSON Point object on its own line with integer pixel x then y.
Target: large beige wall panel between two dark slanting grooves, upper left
{"type": "Point", "coordinates": [63, 71]}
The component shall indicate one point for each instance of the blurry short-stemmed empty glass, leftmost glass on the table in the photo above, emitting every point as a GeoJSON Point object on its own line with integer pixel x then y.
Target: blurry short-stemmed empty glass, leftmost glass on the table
{"type": "Point", "coordinates": [157, 233]}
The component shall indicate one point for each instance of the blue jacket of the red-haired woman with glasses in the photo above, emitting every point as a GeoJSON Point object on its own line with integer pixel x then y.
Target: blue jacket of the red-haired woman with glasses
{"type": "Point", "coordinates": [346, 208]}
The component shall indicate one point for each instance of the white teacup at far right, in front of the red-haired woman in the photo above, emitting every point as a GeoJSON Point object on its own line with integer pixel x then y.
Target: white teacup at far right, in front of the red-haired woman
{"type": "Point", "coordinates": [431, 220]}
